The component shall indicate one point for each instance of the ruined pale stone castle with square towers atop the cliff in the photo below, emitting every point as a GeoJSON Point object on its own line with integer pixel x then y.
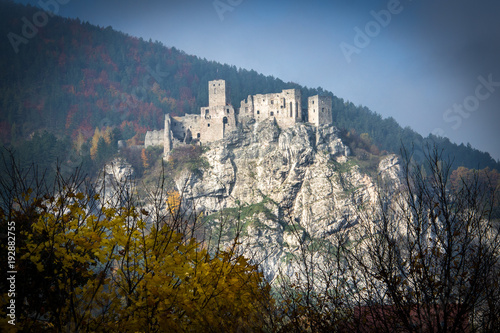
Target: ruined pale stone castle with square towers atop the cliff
{"type": "Point", "coordinates": [220, 117]}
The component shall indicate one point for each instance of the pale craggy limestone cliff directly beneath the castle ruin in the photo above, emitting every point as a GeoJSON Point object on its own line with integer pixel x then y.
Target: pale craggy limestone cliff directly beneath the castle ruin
{"type": "Point", "coordinates": [289, 185]}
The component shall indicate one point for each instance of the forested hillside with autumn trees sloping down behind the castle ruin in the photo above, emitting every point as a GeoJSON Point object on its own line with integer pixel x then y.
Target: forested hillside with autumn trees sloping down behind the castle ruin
{"type": "Point", "coordinates": [64, 80]}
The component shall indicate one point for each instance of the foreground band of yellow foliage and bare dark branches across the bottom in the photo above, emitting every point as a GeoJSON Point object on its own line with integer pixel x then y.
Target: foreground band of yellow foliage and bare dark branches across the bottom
{"type": "Point", "coordinates": [92, 260]}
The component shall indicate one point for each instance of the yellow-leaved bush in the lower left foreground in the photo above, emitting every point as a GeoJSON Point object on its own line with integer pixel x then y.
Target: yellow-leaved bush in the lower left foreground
{"type": "Point", "coordinates": [83, 266]}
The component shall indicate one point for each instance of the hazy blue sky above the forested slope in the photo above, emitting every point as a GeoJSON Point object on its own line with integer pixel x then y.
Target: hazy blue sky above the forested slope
{"type": "Point", "coordinates": [432, 65]}
